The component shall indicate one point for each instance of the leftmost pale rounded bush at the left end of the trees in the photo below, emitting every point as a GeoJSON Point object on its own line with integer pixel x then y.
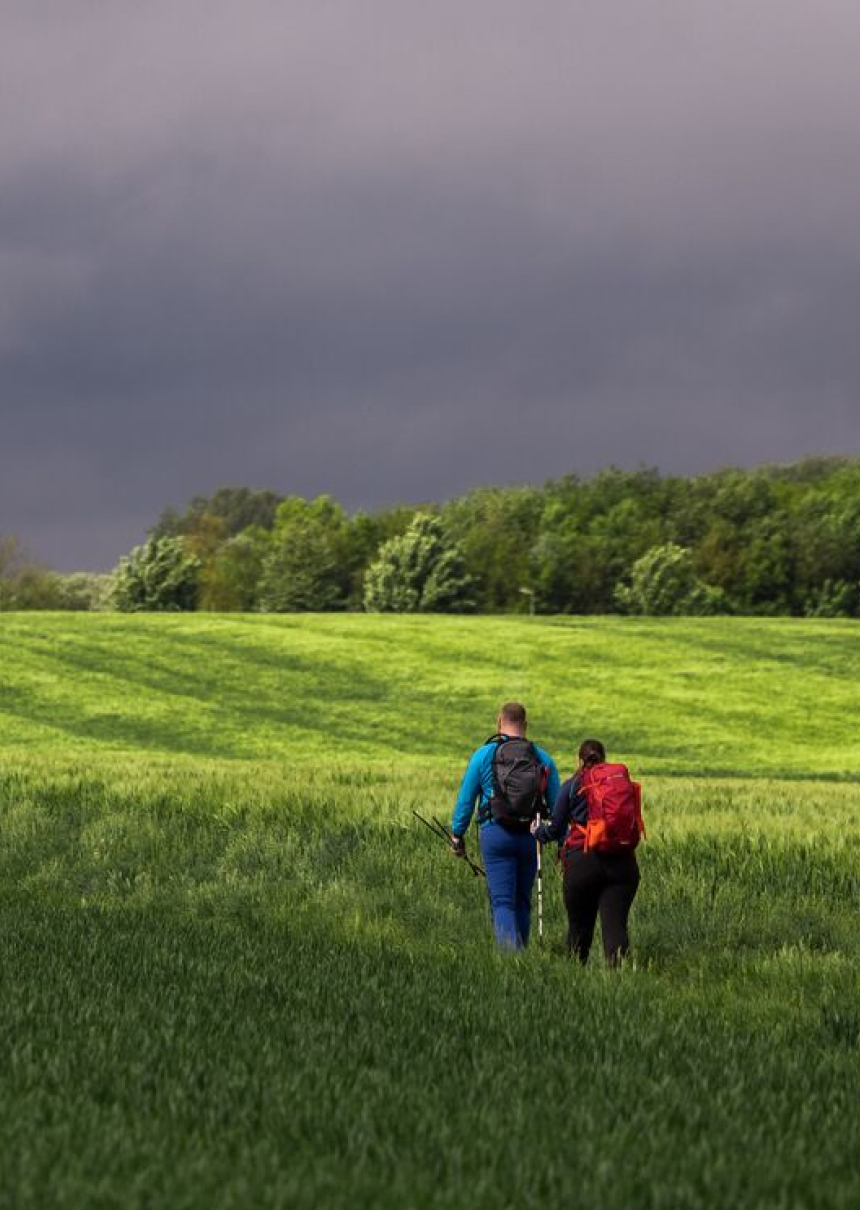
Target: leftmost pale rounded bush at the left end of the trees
{"type": "Point", "coordinates": [160, 577]}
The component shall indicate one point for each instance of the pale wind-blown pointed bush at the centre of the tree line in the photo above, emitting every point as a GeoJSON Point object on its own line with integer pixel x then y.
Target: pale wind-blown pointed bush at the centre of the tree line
{"type": "Point", "coordinates": [424, 572]}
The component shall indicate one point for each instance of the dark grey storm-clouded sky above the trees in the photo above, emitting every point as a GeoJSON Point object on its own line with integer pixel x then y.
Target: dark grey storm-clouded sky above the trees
{"type": "Point", "coordinates": [395, 250]}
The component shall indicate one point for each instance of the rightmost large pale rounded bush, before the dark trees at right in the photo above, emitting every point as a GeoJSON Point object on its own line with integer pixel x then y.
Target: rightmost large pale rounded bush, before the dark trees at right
{"type": "Point", "coordinates": [665, 583]}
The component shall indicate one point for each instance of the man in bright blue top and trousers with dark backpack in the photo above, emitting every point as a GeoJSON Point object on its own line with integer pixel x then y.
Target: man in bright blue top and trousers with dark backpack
{"type": "Point", "coordinates": [512, 781]}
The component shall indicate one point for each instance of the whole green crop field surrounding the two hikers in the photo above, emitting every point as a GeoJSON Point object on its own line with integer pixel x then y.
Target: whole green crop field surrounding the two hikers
{"type": "Point", "coordinates": [236, 973]}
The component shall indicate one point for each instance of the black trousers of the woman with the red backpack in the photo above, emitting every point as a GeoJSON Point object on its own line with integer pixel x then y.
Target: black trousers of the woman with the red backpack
{"type": "Point", "coordinates": [599, 883]}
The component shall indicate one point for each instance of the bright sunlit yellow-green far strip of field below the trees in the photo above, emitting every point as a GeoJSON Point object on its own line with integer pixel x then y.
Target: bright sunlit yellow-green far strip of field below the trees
{"type": "Point", "coordinates": [717, 696]}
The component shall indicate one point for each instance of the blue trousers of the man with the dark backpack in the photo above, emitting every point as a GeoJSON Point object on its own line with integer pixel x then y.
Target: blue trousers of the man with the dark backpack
{"type": "Point", "coordinates": [511, 865]}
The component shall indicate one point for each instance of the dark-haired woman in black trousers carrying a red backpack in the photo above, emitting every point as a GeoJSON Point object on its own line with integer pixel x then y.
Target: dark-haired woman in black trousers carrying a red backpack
{"type": "Point", "coordinates": [598, 816]}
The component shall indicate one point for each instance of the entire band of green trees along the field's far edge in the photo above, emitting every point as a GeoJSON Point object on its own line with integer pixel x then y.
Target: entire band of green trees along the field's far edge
{"type": "Point", "coordinates": [777, 540]}
